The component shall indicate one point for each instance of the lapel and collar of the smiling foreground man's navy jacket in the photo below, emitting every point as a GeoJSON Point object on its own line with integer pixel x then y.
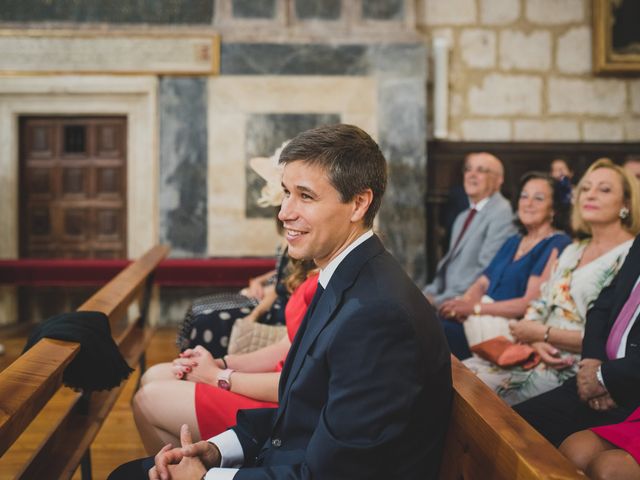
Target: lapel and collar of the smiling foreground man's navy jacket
{"type": "Point", "coordinates": [341, 280]}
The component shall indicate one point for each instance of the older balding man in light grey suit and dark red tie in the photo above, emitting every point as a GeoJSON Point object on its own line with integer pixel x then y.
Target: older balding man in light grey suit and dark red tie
{"type": "Point", "coordinates": [478, 232]}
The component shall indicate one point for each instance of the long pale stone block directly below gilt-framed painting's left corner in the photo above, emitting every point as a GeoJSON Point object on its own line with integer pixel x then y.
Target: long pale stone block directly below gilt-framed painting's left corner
{"type": "Point", "coordinates": [574, 96]}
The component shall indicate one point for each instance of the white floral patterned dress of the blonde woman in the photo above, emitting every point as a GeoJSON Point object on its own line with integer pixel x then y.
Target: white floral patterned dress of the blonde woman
{"type": "Point", "coordinates": [563, 303]}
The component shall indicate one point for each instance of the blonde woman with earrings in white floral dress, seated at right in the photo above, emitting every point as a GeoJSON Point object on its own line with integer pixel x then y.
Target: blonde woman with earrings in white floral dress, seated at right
{"type": "Point", "coordinates": [554, 323]}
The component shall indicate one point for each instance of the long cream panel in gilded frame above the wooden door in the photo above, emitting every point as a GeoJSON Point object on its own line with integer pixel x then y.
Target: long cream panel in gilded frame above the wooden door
{"type": "Point", "coordinates": [108, 52]}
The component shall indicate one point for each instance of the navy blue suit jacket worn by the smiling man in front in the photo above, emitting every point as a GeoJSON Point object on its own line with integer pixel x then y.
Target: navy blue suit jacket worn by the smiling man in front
{"type": "Point", "coordinates": [366, 390]}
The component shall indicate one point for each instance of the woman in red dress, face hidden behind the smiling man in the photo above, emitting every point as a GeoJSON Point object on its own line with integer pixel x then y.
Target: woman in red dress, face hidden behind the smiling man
{"type": "Point", "coordinates": [203, 402]}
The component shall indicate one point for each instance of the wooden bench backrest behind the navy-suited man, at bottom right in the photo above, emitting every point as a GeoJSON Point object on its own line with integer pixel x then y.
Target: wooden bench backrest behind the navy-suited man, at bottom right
{"type": "Point", "coordinates": [488, 440]}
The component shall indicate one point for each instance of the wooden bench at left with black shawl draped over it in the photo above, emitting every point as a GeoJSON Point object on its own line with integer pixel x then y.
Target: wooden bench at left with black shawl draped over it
{"type": "Point", "coordinates": [29, 382]}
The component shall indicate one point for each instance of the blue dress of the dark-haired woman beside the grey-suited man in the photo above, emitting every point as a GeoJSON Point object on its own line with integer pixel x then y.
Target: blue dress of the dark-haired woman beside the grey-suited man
{"type": "Point", "coordinates": [508, 279]}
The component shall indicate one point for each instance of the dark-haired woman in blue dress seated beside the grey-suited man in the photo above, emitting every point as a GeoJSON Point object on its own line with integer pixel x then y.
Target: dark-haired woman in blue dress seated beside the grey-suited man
{"type": "Point", "coordinates": [513, 277]}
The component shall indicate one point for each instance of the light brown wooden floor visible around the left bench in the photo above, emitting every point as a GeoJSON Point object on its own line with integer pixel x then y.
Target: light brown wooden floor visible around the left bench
{"type": "Point", "coordinates": [118, 440]}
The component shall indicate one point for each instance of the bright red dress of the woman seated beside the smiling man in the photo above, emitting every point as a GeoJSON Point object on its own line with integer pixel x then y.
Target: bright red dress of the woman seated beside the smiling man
{"type": "Point", "coordinates": [216, 408]}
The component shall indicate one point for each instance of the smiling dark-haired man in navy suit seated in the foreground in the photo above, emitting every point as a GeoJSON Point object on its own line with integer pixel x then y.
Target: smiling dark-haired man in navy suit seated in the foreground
{"type": "Point", "coordinates": [366, 388]}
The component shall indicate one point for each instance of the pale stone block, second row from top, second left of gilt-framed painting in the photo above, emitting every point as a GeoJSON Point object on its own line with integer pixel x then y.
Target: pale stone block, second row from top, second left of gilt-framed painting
{"type": "Point", "coordinates": [519, 51]}
